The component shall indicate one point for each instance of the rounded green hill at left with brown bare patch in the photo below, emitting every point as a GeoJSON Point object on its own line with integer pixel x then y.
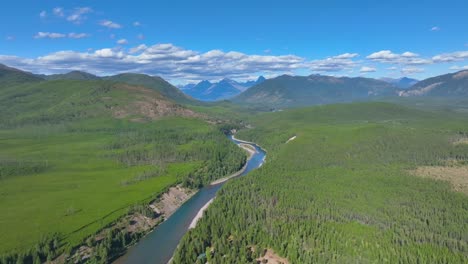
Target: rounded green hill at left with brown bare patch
{"type": "Point", "coordinates": [65, 100]}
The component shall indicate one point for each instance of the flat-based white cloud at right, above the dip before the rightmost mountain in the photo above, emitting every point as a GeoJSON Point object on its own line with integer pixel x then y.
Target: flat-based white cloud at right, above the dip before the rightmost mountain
{"type": "Point", "coordinates": [406, 58]}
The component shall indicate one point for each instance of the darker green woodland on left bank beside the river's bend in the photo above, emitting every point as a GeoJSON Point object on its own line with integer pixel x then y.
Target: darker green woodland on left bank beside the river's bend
{"type": "Point", "coordinates": [165, 145]}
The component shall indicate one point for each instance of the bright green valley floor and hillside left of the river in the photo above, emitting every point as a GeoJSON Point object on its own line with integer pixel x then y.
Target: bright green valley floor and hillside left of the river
{"type": "Point", "coordinates": [69, 166]}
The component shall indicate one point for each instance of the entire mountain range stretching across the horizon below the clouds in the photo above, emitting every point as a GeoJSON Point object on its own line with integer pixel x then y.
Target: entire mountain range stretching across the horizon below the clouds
{"type": "Point", "coordinates": [280, 92]}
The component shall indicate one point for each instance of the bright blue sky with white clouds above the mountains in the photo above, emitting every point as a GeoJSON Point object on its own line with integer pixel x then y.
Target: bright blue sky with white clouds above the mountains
{"type": "Point", "coordinates": [189, 41]}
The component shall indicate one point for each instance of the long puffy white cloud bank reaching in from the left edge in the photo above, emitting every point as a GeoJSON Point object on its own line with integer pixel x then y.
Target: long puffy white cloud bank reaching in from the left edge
{"type": "Point", "coordinates": [166, 60]}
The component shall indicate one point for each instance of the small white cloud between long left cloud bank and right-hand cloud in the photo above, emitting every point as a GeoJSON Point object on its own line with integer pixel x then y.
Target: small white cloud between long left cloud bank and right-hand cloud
{"type": "Point", "coordinates": [334, 64]}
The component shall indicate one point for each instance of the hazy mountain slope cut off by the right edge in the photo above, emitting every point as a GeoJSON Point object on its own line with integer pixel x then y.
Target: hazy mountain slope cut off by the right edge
{"type": "Point", "coordinates": [447, 85]}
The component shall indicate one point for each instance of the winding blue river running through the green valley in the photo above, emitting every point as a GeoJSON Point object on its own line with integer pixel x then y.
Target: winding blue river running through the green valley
{"type": "Point", "coordinates": [159, 245]}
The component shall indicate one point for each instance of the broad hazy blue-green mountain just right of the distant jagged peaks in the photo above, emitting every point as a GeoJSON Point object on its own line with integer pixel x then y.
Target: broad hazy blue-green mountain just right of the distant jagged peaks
{"type": "Point", "coordinates": [296, 91]}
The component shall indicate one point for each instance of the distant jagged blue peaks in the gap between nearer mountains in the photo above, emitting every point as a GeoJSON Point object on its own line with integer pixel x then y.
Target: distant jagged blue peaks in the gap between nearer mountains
{"type": "Point", "coordinates": [224, 89]}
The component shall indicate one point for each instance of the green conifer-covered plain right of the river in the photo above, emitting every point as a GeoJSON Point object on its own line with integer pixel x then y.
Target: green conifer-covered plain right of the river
{"type": "Point", "coordinates": [342, 191]}
